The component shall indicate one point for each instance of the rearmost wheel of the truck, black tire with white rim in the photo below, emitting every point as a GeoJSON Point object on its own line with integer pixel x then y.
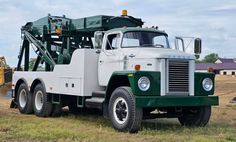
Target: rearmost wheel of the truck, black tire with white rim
{"type": "Point", "coordinates": [24, 99]}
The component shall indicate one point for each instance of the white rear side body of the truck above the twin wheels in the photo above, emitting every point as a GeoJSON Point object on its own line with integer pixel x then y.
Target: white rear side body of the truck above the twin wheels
{"type": "Point", "coordinates": [78, 78]}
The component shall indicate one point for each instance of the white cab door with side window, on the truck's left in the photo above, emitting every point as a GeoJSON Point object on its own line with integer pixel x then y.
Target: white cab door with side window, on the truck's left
{"type": "Point", "coordinates": [110, 57]}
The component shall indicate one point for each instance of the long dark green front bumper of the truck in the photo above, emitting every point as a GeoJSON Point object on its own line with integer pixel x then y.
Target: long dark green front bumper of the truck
{"type": "Point", "coordinates": [175, 101]}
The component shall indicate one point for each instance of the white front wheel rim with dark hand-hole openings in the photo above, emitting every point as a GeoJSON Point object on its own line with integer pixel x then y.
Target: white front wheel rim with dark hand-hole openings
{"type": "Point", "coordinates": [120, 110]}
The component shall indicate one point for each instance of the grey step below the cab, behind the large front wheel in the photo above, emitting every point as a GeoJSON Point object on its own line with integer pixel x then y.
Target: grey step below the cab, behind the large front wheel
{"type": "Point", "coordinates": [94, 102]}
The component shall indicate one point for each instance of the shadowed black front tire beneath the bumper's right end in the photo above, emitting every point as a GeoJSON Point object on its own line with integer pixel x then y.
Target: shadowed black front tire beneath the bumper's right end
{"type": "Point", "coordinates": [195, 116]}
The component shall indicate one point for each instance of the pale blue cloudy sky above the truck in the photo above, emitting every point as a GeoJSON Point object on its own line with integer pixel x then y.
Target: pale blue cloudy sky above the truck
{"type": "Point", "coordinates": [214, 21]}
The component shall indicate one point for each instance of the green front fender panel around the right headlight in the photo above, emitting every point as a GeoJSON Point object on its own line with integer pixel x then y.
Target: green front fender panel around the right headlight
{"type": "Point", "coordinates": [198, 78]}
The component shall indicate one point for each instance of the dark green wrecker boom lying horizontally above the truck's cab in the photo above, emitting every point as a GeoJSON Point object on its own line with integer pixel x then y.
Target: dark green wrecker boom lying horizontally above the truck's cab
{"type": "Point", "coordinates": [87, 24]}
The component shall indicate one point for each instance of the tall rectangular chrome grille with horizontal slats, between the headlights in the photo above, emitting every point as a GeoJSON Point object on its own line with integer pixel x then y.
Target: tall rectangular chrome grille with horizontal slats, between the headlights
{"type": "Point", "coordinates": [178, 76]}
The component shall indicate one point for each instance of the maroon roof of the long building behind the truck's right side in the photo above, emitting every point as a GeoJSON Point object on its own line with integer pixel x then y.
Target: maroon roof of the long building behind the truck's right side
{"type": "Point", "coordinates": [221, 66]}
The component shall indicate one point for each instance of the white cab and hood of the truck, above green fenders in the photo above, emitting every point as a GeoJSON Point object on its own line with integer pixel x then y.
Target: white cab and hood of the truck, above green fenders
{"type": "Point", "coordinates": [125, 49]}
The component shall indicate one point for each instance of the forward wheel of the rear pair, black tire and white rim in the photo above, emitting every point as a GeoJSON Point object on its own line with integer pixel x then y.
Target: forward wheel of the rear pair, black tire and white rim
{"type": "Point", "coordinates": [41, 103]}
